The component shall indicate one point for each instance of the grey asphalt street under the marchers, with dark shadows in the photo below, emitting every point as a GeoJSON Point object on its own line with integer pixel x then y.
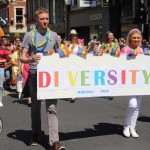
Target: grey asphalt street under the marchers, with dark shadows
{"type": "Point", "coordinates": [87, 124]}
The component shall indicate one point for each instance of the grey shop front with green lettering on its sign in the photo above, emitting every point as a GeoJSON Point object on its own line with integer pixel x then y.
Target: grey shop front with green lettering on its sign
{"type": "Point", "coordinates": [91, 23]}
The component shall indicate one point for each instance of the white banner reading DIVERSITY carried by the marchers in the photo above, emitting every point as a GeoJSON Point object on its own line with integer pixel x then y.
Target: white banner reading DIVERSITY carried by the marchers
{"type": "Point", "coordinates": [92, 76]}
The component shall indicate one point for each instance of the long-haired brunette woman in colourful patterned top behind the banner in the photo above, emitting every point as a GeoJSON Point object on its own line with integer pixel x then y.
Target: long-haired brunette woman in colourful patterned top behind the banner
{"type": "Point", "coordinates": [109, 43]}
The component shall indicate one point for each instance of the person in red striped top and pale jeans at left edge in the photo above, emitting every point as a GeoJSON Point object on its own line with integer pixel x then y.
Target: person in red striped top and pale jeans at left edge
{"type": "Point", "coordinates": [4, 56]}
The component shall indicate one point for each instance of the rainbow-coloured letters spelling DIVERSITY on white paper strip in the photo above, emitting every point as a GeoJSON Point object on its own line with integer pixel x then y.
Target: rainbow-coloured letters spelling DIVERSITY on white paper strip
{"type": "Point", "coordinates": [90, 77]}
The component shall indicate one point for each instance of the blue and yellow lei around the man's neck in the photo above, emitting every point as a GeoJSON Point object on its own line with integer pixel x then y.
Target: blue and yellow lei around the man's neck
{"type": "Point", "coordinates": [40, 47]}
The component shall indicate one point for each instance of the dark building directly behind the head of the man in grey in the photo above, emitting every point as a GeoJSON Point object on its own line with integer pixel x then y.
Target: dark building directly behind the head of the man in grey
{"type": "Point", "coordinates": [56, 14]}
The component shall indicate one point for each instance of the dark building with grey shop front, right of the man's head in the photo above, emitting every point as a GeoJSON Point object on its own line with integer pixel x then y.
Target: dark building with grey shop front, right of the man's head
{"type": "Point", "coordinates": [107, 15]}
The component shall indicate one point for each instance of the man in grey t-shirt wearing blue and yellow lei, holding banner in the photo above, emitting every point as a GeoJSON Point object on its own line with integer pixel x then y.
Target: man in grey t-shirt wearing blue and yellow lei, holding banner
{"type": "Point", "coordinates": [41, 40]}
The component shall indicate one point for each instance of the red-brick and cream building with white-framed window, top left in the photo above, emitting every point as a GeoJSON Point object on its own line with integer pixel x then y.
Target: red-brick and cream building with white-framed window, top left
{"type": "Point", "coordinates": [13, 12]}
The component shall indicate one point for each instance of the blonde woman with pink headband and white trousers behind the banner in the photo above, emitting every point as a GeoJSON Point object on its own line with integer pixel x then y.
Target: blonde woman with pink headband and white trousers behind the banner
{"type": "Point", "coordinates": [133, 42]}
